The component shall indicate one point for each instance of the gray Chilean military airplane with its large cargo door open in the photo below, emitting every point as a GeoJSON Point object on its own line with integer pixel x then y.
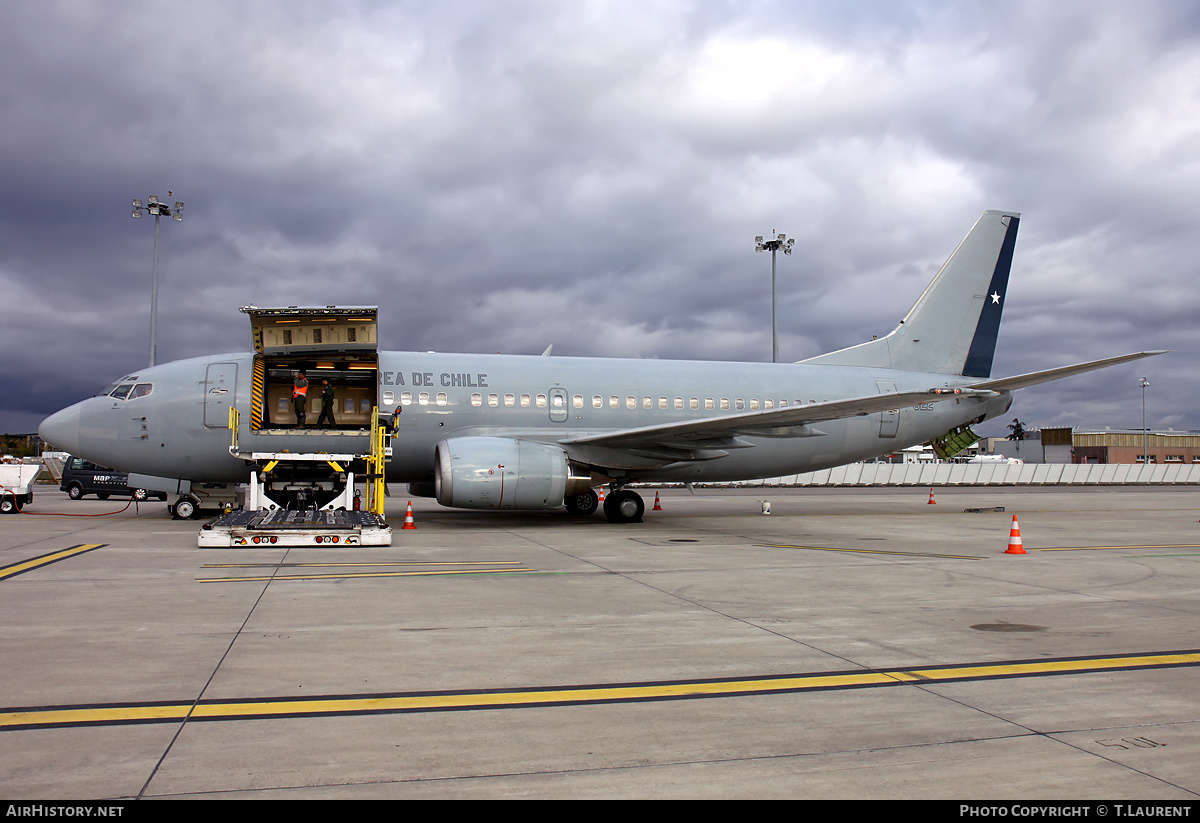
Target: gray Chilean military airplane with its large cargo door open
{"type": "Point", "coordinates": [542, 432]}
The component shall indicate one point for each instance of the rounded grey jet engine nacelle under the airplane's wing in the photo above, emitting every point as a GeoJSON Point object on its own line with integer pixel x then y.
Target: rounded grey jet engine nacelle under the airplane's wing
{"type": "Point", "coordinates": [502, 473]}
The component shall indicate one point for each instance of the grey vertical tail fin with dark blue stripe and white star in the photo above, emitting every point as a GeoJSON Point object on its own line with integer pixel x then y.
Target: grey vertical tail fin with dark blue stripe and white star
{"type": "Point", "coordinates": [953, 327]}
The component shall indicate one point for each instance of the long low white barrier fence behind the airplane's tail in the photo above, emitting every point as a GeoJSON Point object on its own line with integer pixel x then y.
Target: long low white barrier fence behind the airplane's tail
{"type": "Point", "coordinates": [991, 474]}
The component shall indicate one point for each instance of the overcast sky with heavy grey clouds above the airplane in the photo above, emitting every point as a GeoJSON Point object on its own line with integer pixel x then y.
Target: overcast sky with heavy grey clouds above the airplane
{"type": "Point", "coordinates": [502, 176]}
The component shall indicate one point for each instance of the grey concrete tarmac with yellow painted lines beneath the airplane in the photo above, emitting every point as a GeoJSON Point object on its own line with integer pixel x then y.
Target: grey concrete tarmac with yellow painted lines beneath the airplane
{"type": "Point", "coordinates": [854, 644]}
